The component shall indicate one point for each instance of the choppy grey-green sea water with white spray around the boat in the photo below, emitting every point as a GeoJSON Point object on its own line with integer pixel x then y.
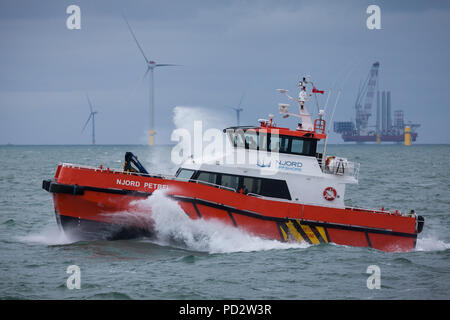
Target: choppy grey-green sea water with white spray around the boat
{"type": "Point", "coordinates": [207, 260]}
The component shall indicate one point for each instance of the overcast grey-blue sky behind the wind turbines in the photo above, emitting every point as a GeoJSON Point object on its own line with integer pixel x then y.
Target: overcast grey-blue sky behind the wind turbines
{"type": "Point", "coordinates": [226, 48]}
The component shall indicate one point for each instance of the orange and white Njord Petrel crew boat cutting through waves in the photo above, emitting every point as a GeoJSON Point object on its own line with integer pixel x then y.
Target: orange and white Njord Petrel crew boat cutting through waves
{"type": "Point", "coordinates": [291, 192]}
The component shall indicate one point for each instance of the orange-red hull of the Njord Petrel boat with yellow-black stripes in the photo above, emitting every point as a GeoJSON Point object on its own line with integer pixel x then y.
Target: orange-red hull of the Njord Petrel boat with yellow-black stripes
{"type": "Point", "coordinates": [86, 200]}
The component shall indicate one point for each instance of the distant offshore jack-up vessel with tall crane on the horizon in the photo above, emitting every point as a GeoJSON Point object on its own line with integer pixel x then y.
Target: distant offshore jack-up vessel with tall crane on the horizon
{"type": "Point", "coordinates": [385, 129]}
